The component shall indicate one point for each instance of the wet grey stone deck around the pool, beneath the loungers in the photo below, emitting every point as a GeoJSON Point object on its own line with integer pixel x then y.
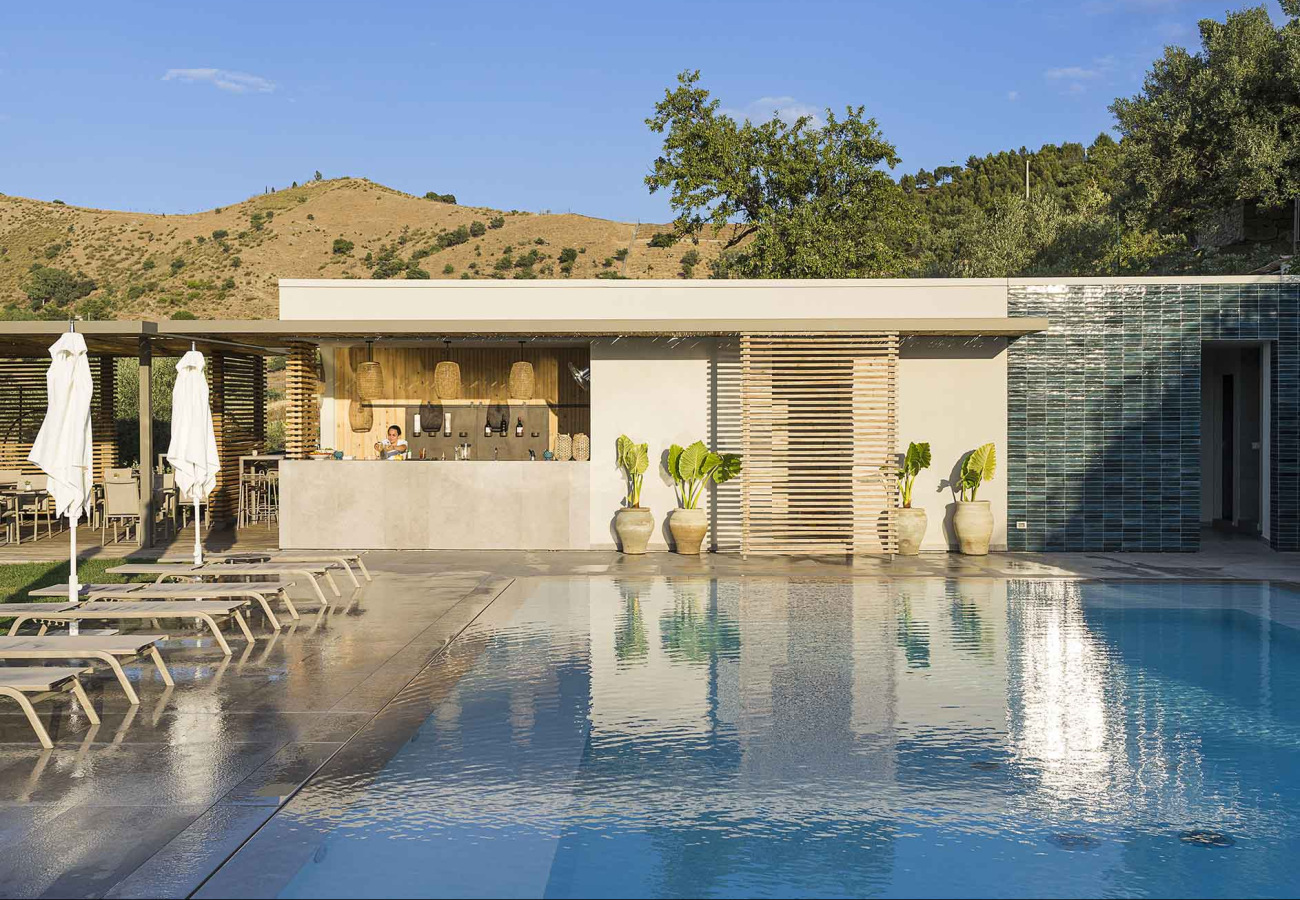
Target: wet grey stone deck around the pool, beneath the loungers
{"type": "Point", "coordinates": [159, 797]}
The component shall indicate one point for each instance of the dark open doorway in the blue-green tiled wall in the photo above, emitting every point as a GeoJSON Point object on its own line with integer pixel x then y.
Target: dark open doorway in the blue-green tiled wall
{"type": "Point", "coordinates": [1234, 423]}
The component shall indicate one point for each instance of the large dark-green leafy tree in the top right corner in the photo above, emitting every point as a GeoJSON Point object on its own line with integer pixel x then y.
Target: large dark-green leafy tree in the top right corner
{"type": "Point", "coordinates": [1216, 127]}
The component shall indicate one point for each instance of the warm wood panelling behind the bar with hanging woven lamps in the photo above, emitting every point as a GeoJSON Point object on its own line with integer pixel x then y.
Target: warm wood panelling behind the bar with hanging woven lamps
{"type": "Point", "coordinates": [484, 374]}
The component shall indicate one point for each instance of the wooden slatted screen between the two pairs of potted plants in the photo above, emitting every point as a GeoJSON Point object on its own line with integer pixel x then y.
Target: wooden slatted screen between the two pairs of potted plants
{"type": "Point", "coordinates": [818, 431]}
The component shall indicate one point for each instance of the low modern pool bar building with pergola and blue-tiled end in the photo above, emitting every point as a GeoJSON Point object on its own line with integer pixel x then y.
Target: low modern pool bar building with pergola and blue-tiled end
{"type": "Point", "coordinates": [1128, 414]}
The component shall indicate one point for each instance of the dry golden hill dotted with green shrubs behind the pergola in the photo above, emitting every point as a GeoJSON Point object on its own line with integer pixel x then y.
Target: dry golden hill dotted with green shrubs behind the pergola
{"type": "Point", "coordinates": [226, 263]}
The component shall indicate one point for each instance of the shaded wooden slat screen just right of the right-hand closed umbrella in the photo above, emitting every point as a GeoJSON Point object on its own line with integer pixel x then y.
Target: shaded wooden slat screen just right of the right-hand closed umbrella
{"type": "Point", "coordinates": [237, 387]}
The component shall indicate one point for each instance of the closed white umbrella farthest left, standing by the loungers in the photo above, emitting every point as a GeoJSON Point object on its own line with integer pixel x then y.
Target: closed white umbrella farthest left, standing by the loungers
{"type": "Point", "coordinates": [64, 448]}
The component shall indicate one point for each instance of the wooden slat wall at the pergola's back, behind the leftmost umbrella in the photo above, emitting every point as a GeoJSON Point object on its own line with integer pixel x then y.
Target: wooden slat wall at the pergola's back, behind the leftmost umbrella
{"type": "Point", "coordinates": [23, 409]}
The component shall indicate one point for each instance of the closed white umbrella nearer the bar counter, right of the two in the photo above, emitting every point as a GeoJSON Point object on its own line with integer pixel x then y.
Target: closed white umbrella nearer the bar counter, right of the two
{"type": "Point", "coordinates": [194, 445]}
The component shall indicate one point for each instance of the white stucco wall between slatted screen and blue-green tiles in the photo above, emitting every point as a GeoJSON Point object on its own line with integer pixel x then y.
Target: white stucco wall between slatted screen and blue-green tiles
{"type": "Point", "coordinates": [952, 392]}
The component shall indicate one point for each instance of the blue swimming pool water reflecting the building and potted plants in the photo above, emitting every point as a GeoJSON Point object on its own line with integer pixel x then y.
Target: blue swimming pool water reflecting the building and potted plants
{"type": "Point", "coordinates": [825, 738]}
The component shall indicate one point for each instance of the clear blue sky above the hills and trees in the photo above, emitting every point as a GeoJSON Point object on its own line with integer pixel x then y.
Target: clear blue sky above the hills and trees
{"type": "Point", "coordinates": [184, 107]}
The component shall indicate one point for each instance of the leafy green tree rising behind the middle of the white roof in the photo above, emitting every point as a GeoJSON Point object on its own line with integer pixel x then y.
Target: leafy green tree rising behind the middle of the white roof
{"type": "Point", "coordinates": [805, 200]}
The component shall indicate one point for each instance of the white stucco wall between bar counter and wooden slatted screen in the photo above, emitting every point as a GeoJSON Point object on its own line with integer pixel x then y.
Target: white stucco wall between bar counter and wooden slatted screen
{"type": "Point", "coordinates": [655, 391]}
